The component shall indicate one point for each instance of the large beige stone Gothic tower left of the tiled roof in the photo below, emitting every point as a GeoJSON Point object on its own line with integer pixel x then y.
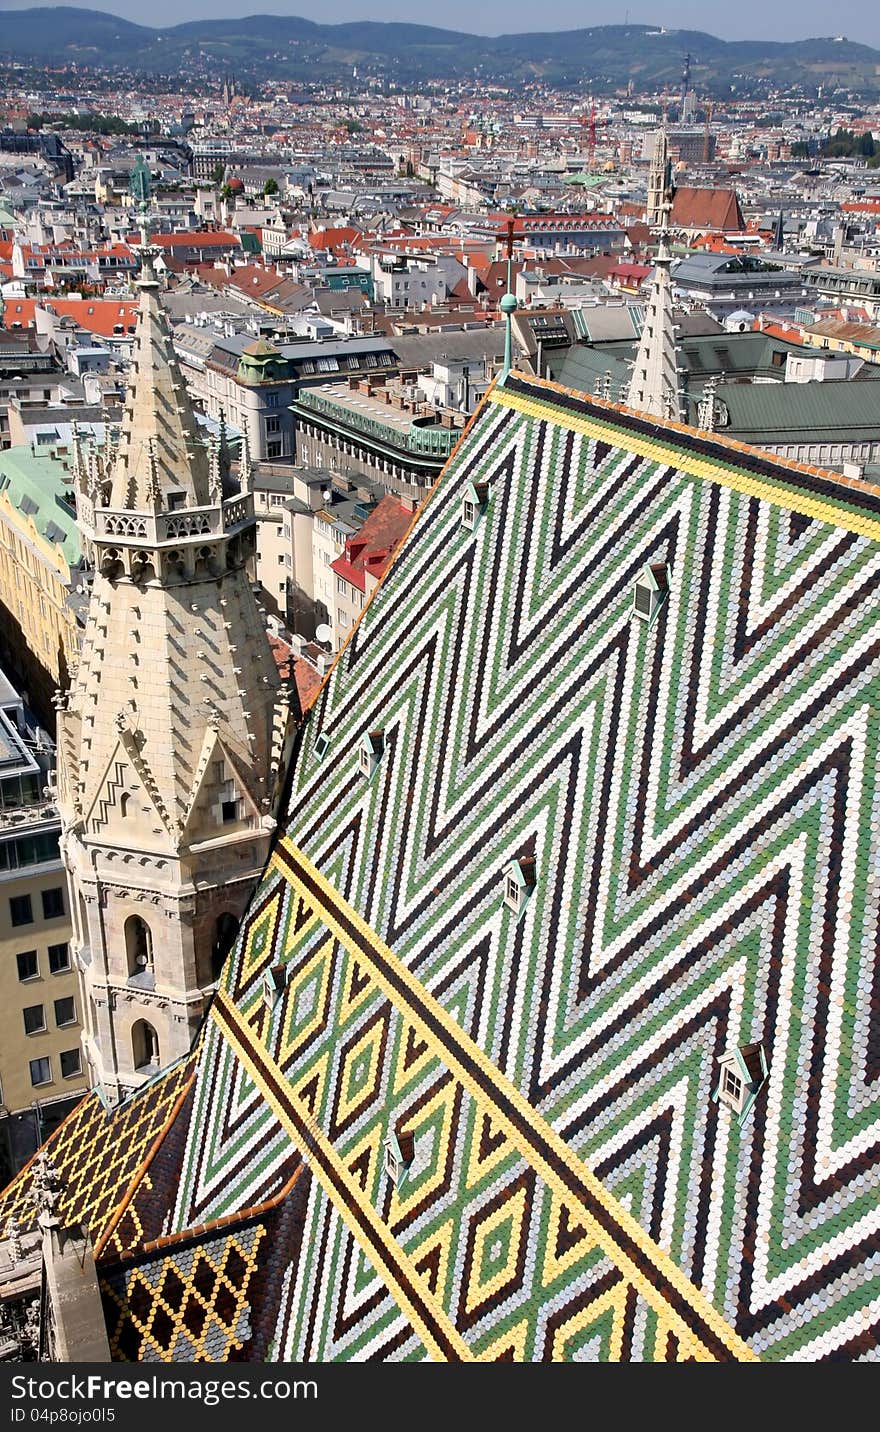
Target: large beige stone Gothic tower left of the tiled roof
{"type": "Point", "coordinates": [175, 735]}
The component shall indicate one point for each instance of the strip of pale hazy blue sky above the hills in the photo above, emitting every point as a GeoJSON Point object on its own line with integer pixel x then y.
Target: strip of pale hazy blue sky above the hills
{"type": "Point", "coordinates": [748, 19]}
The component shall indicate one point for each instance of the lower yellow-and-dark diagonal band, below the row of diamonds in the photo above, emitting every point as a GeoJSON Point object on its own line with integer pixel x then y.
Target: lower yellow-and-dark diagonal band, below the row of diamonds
{"type": "Point", "coordinates": [343, 1189]}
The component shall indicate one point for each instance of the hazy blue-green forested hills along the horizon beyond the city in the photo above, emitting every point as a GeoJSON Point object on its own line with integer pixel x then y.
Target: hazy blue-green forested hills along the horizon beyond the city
{"type": "Point", "coordinates": [290, 48]}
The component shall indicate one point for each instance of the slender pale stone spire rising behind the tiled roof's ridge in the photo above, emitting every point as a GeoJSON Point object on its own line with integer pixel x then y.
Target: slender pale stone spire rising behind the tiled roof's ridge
{"type": "Point", "coordinates": [656, 384]}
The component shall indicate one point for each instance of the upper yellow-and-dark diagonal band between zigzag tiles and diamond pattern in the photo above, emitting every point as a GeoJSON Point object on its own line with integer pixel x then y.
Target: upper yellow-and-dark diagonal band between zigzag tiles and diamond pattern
{"type": "Point", "coordinates": [457, 1053]}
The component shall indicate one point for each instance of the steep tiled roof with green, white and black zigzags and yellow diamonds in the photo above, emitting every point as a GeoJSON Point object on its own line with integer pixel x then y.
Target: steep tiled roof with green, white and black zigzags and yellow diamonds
{"type": "Point", "coordinates": [699, 797]}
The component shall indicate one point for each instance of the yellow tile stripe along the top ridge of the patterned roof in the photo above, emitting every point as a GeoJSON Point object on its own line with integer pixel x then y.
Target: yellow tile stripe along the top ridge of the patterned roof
{"type": "Point", "coordinates": [666, 452]}
